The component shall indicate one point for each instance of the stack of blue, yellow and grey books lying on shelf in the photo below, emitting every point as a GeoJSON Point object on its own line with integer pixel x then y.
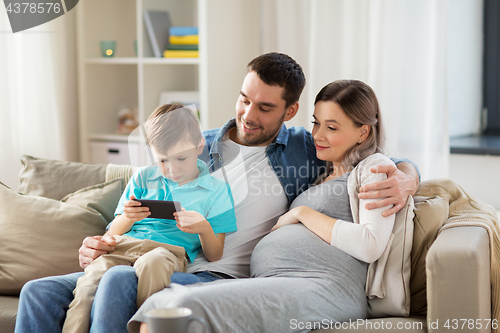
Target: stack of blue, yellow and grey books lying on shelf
{"type": "Point", "coordinates": [183, 43]}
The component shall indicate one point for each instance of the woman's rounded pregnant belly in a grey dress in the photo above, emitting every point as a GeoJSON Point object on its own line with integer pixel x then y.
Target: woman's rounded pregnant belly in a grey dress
{"type": "Point", "coordinates": [295, 251]}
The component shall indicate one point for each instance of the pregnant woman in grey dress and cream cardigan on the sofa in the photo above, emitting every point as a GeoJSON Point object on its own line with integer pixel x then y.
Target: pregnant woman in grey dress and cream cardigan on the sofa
{"type": "Point", "coordinates": [311, 269]}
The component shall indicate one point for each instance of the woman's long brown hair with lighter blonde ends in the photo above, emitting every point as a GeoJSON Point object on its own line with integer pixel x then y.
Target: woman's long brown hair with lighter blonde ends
{"type": "Point", "coordinates": [360, 104]}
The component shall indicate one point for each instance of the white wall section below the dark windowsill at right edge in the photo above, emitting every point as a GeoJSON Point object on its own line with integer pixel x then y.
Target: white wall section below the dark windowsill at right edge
{"type": "Point", "coordinates": [479, 175]}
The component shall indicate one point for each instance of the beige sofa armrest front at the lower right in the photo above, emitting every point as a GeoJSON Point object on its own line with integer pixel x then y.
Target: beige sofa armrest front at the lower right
{"type": "Point", "coordinates": [458, 281]}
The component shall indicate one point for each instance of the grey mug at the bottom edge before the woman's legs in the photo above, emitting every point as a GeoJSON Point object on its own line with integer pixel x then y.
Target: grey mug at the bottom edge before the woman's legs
{"type": "Point", "coordinates": [174, 320]}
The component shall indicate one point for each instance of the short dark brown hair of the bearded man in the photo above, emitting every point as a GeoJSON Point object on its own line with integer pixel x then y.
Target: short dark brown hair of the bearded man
{"type": "Point", "coordinates": [278, 69]}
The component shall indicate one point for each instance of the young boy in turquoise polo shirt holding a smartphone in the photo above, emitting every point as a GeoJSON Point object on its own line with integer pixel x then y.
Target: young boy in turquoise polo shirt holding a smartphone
{"type": "Point", "coordinates": [158, 247]}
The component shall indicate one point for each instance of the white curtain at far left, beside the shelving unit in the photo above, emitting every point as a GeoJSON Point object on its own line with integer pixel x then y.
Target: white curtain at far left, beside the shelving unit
{"type": "Point", "coordinates": [38, 94]}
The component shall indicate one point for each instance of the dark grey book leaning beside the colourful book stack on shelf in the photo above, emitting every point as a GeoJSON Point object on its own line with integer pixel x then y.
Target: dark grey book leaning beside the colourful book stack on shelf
{"type": "Point", "coordinates": [157, 25]}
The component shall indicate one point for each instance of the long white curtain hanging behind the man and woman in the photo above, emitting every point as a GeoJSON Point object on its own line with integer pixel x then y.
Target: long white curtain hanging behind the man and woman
{"type": "Point", "coordinates": [423, 58]}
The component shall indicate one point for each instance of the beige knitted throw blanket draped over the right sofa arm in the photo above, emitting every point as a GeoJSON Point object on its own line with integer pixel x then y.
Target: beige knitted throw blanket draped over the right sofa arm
{"type": "Point", "coordinates": [469, 211]}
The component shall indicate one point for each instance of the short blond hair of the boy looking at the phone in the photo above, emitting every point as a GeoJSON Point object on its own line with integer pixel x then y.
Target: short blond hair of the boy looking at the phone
{"type": "Point", "coordinates": [170, 124]}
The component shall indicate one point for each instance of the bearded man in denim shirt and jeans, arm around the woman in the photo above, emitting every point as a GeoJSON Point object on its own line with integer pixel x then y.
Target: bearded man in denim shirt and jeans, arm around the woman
{"type": "Point", "coordinates": [266, 165]}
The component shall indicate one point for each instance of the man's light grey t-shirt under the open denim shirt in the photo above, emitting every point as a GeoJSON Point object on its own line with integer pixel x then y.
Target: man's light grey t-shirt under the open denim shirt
{"type": "Point", "coordinates": [259, 201]}
